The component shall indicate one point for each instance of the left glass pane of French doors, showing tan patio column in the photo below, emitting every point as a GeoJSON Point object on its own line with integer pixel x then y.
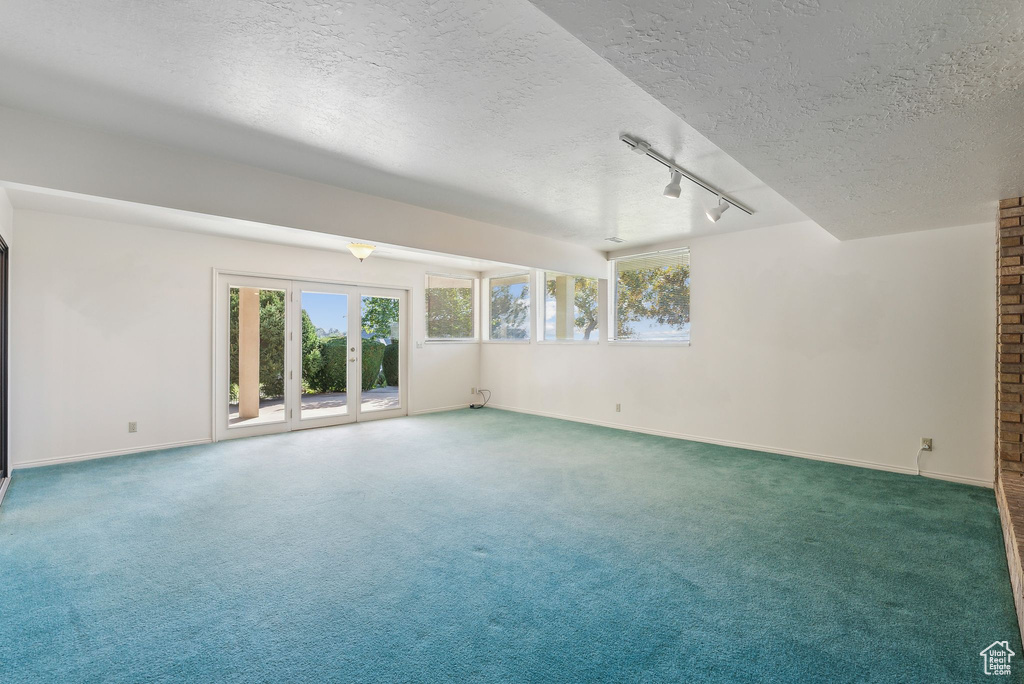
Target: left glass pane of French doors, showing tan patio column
{"type": "Point", "coordinates": [257, 357]}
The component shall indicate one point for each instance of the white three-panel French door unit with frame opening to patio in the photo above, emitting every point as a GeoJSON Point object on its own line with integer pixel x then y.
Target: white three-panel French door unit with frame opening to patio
{"type": "Point", "coordinates": [295, 355]}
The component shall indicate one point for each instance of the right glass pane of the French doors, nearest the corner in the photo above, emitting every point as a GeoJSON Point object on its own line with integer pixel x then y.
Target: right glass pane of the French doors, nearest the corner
{"type": "Point", "coordinates": [381, 358]}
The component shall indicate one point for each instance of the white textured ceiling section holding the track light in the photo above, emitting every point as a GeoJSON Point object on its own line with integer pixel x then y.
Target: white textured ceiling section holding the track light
{"type": "Point", "coordinates": [486, 110]}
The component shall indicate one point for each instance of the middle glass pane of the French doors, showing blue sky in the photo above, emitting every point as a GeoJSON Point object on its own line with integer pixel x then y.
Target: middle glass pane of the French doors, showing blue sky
{"type": "Point", "coordinates": [325, 355]}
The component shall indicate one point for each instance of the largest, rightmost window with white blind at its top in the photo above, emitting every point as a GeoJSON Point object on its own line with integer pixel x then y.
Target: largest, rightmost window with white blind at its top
{"type": "Point", "coordinates": [653, 297]}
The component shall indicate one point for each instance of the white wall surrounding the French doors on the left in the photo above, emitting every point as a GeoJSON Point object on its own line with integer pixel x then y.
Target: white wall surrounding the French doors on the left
{"type": "Point", "coordinates": [113, 323]}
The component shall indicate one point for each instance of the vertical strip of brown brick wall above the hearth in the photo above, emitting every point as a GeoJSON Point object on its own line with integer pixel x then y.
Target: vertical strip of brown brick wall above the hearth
{"type": "Point", "coordinates": [1010, 356]}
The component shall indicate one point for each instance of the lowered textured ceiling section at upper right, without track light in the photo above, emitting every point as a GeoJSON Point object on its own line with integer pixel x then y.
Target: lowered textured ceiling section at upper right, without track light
{"type": "Point", "coordinates": [873, 117]}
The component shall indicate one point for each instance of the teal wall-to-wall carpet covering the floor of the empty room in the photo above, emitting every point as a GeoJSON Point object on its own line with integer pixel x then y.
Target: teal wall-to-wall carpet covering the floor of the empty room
{"type": "Point", "coordinates": [489, 546]}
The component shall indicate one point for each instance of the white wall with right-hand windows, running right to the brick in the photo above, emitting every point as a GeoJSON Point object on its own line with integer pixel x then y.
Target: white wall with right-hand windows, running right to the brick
{"type": "Point", "coordinates": [801, 345]}
